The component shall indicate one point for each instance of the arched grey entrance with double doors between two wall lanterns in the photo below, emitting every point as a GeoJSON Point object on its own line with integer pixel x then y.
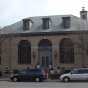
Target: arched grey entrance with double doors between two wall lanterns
{"type": "Point", "coordinates": [45, 53]}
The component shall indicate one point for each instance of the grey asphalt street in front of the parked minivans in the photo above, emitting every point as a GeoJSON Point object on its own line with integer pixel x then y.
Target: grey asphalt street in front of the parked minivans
{"type": "Point", "coordinates": [9, 84]}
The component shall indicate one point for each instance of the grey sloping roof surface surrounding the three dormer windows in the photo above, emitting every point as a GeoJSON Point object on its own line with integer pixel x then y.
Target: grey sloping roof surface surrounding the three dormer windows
{"type": "Point", "coordinates": [76, 24]}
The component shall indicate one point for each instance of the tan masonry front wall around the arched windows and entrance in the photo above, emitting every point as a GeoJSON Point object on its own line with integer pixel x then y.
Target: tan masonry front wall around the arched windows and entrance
{"type": "Point", "coordinates": [12, 61]}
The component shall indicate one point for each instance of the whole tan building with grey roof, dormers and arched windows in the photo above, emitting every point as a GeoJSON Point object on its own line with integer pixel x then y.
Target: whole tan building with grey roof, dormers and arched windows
{"type": "Point", "coordinates": [44, 40]}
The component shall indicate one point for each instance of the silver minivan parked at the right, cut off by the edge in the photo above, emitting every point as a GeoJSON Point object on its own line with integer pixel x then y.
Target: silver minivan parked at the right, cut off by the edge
{"type": "Point", "coordinates": [76, 74]}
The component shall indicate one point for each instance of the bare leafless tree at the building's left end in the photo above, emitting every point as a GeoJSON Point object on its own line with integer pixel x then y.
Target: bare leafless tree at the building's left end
{"type": "Point", "coordinates": [6, 43]}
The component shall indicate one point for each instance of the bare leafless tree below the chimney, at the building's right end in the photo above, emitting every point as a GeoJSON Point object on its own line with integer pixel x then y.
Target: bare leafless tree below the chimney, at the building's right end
{"type": "Point", "coordinates": [81, 40]}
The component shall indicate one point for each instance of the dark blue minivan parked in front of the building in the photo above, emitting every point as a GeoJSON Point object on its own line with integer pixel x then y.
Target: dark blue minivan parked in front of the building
{"type": "Point", "coordinates": [29, 74]}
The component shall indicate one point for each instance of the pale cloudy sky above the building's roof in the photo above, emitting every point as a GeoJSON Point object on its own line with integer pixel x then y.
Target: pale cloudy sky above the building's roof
{"type": "Point", "coordinates": [12, 11]}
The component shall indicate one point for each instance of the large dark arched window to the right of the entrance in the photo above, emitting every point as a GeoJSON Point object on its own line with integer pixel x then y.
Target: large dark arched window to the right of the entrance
{"type": "Point", "coordinates": [66, 51]}
